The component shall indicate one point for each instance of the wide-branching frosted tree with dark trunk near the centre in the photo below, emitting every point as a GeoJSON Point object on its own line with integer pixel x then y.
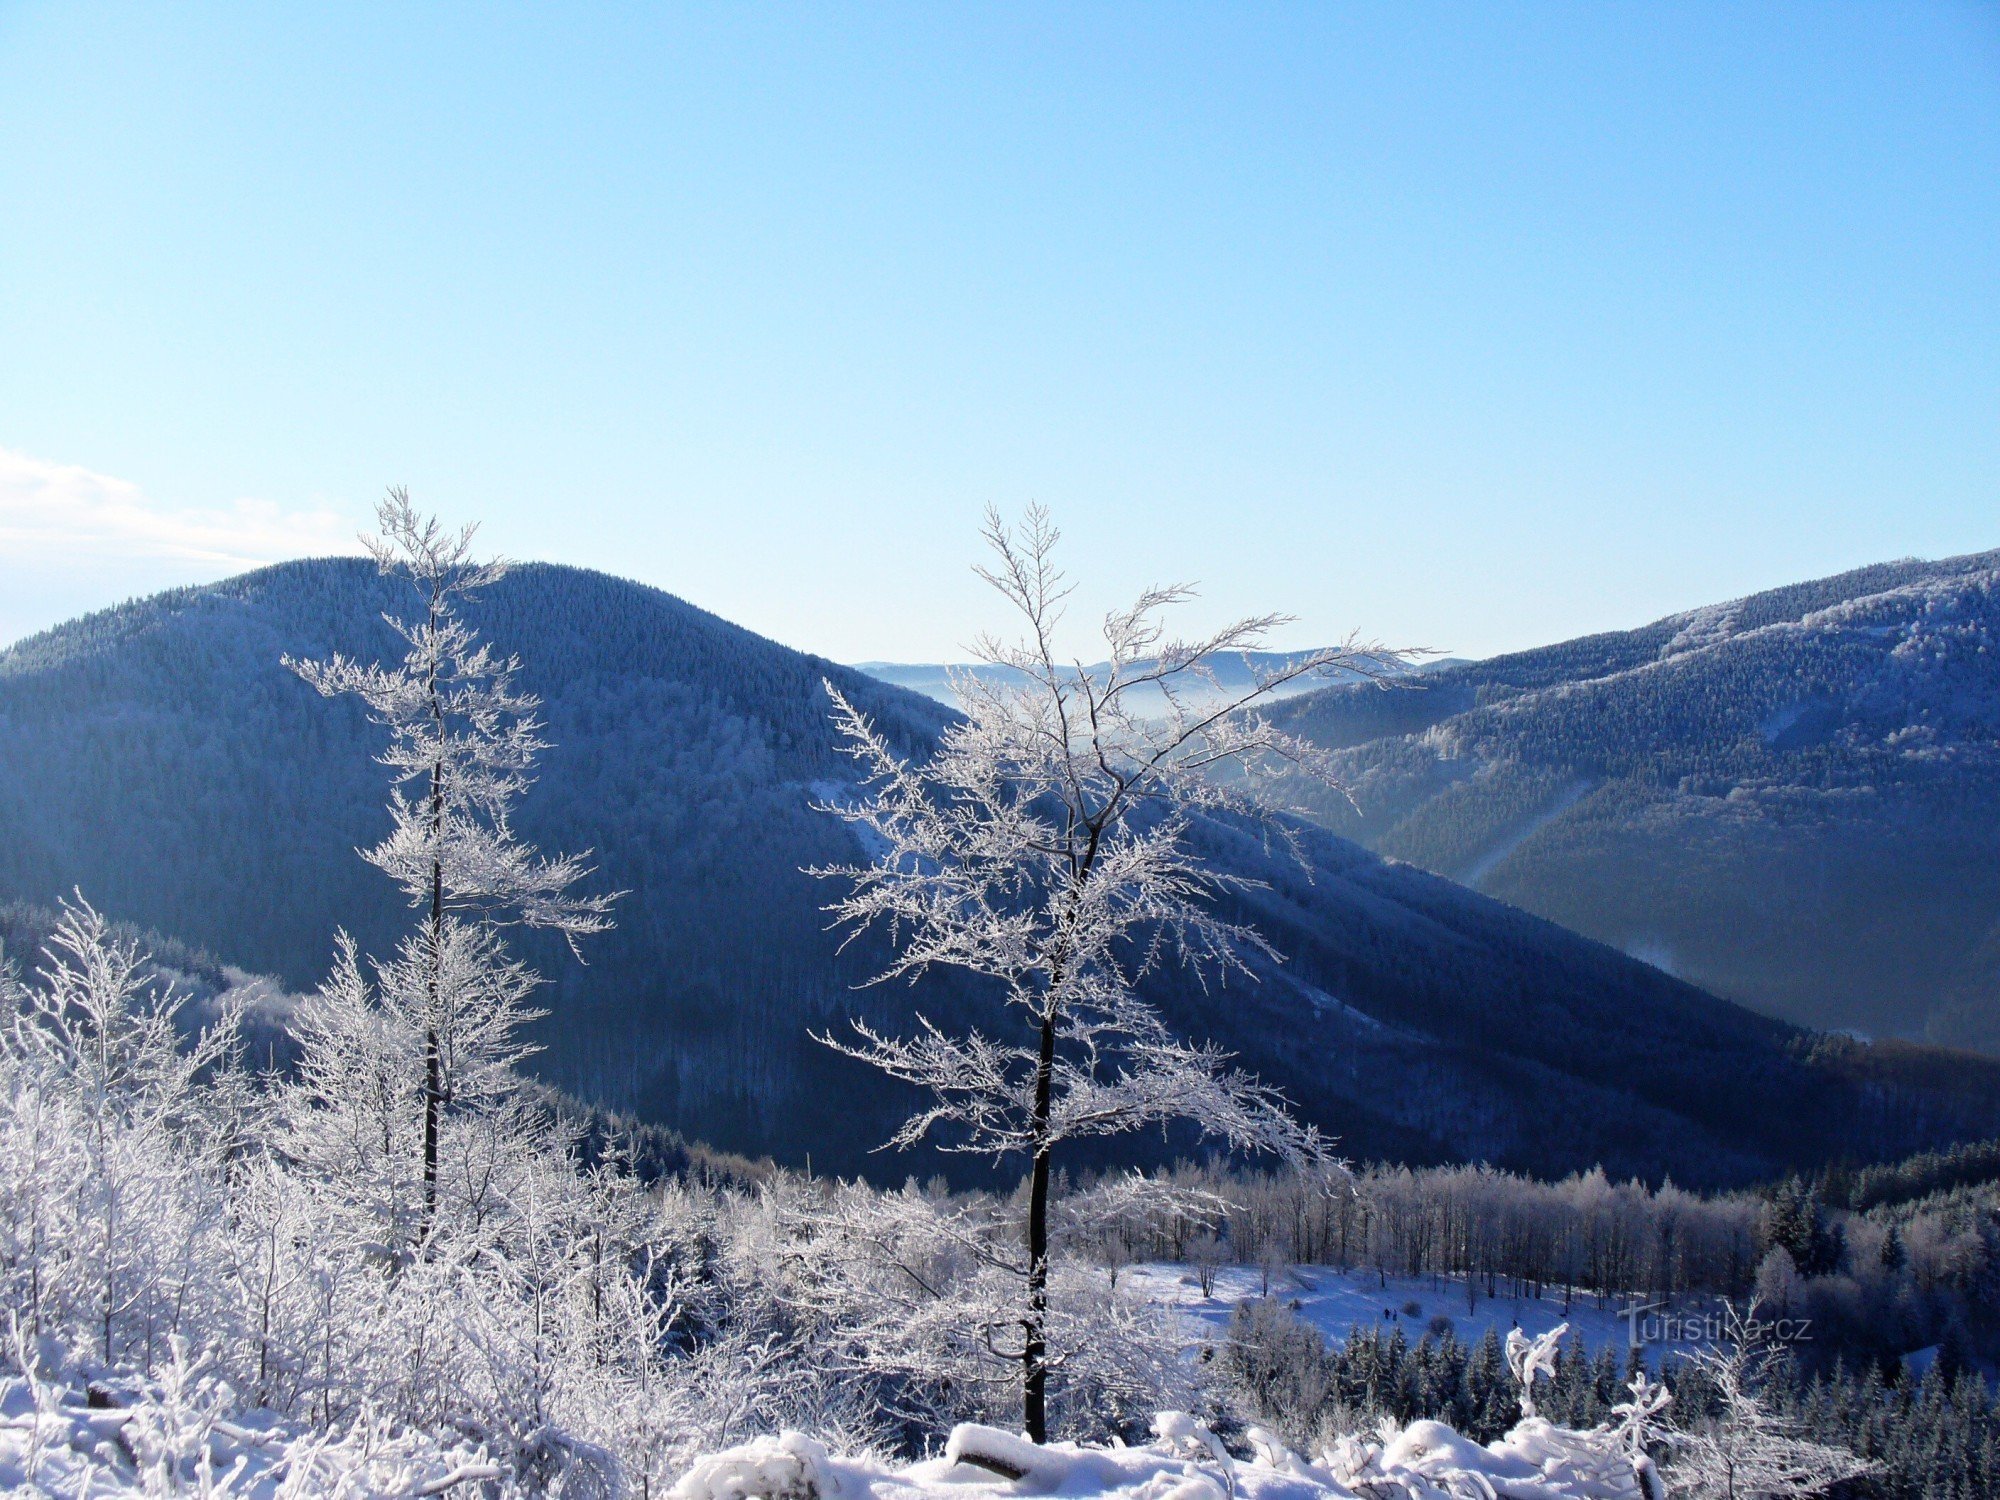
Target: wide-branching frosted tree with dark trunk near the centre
{"type": "Point", "coordinates": [1047, 847]}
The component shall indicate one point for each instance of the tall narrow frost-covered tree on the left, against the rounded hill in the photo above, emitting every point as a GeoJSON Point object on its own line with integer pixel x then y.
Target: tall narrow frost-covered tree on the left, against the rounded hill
{"type": "Point", "coordinates": [463, 749]}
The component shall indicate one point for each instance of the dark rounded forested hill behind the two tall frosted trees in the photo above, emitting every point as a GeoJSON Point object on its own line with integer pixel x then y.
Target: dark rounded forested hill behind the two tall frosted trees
{"type": "Point", "coordinates": [161, 759]}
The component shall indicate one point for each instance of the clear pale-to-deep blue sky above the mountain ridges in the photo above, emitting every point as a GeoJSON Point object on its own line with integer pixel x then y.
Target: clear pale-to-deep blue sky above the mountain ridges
{"type": "Point", "coordinates": [1469, 327]}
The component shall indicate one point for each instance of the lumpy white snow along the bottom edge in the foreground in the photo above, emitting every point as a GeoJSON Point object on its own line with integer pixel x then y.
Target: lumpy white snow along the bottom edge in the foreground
{"type": "Point", "coordinates": [55, 1443]}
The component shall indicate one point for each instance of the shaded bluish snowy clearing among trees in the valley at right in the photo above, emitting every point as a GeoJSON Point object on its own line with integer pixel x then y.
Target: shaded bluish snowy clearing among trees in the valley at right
{"type": "Point", "coordinates": [1337, 1303]}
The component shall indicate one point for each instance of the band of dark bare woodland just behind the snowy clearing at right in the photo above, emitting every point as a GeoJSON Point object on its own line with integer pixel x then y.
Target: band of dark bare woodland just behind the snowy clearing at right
{"type": "Point", "coordinates": [1907, 1275]}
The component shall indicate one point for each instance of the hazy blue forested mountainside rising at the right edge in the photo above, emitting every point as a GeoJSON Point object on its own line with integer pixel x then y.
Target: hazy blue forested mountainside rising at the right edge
{"type": "Point", "coordinates": [1793, 799]}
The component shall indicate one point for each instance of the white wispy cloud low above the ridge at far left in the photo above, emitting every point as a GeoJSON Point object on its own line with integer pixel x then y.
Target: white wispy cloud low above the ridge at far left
{"type": "Point", "coordinates": [69, 515]}
